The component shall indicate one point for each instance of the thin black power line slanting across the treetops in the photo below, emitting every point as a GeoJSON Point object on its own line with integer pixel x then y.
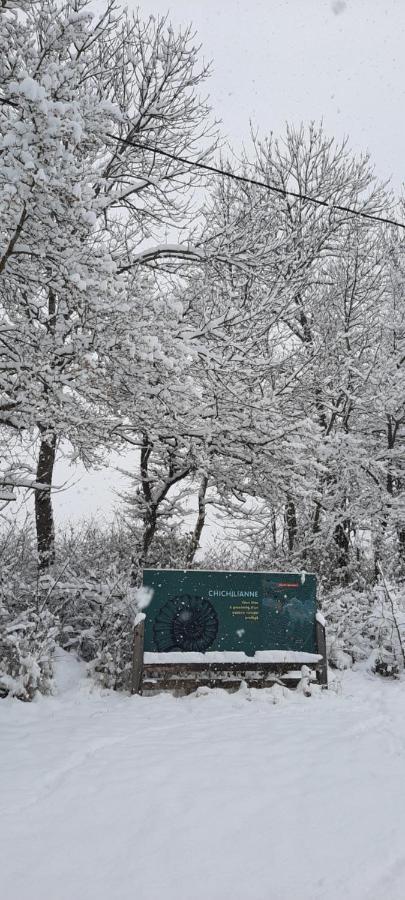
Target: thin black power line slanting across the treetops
{"type": "Point", "coordinates": [245, 180]}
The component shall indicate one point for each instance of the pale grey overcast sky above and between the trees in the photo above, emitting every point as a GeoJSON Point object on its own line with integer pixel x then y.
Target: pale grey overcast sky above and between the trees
{"type": "Point", "coordinates": [288, 60]}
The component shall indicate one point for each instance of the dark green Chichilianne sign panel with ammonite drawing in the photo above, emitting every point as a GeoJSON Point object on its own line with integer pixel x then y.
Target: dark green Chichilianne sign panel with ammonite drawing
{"type": "Point", "coordinates": [198, 610]}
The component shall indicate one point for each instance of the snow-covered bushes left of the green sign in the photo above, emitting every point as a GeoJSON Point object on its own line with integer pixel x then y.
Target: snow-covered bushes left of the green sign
{"type": "Point", "coordinates": [66, 606]}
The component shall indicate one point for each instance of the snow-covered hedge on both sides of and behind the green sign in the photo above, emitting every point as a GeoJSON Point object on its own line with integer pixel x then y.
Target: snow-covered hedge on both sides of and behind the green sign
{"type": "Point", "coordinates": [86, 605]}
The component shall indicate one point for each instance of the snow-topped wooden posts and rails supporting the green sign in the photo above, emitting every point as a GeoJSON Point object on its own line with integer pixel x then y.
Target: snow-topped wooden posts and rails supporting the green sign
{"type": "Point", "coordinates": [182, 673]}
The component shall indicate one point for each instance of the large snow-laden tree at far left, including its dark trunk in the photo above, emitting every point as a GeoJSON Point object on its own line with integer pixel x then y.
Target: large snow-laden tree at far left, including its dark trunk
{"type": "Point", "coordinates": [79, 204]}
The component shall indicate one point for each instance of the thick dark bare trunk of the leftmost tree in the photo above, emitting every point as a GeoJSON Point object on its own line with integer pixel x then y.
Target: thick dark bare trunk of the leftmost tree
{"type": "Point", "coordinates": [43, 504]}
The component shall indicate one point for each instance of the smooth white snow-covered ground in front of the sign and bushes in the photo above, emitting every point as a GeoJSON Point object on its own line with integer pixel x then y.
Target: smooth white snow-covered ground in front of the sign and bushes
{"type": "Point", "coordinates": [208, 797]}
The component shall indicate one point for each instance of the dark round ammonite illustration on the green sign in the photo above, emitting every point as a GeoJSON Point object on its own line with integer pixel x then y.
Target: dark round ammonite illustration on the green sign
{"type": "Point", "coordinates": [185, 623]}
